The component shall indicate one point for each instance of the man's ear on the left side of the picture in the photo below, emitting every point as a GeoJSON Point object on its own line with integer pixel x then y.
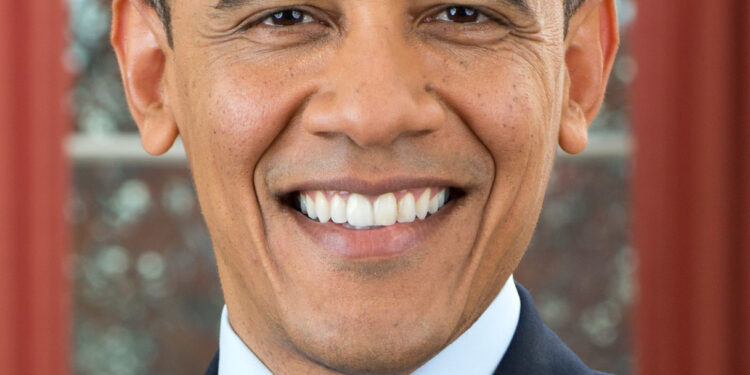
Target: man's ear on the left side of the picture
{"type": "Point", "coordinates": [139, 40]}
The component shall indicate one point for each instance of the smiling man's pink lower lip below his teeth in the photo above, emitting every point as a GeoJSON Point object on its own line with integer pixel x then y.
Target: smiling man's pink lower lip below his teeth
{"type": "Point", "coordinates": [384, 242]}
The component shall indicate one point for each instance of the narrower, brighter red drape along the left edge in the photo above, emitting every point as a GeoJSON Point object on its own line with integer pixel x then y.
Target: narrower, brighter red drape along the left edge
{"type": "Point", "coordinates": [34, 296]}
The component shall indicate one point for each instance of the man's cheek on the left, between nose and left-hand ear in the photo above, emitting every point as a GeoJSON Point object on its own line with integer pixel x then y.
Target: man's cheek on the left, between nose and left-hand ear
{"type": "Point", "coordinates": [229, 117]}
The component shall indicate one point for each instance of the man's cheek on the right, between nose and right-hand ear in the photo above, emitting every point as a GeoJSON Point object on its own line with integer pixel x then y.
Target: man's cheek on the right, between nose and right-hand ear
{"type": "Point", "coordinates": [510, 112]}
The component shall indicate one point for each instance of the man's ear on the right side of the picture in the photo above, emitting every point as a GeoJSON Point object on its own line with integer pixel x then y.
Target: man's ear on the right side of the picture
{"type": "Point", "coordinates": [590, 49]}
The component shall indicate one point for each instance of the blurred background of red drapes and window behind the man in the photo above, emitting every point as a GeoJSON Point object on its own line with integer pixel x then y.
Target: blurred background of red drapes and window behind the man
{"type": "Point", "coordinates": [138, 292]}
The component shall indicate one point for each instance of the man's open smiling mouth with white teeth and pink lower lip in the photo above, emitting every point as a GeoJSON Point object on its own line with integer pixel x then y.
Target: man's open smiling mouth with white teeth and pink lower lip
{"type": "Point", "coordinates": [371, 223]}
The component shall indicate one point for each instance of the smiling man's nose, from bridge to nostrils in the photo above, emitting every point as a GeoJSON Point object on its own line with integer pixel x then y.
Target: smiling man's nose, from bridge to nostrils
{"type": "Point", "coordinates": [374, 92]}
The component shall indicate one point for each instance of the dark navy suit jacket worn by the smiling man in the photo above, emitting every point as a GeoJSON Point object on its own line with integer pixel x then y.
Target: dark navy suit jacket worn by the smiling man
{"type": "Point", "coordinates": [534, 349]}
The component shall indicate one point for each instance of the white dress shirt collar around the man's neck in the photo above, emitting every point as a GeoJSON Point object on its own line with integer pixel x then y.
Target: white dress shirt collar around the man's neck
{"type": "Point", "coordinates": [477, 351]}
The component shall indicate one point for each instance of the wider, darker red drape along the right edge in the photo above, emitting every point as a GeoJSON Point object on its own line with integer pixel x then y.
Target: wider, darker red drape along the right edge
{"type": "Point", "coordinates": [691, 190]}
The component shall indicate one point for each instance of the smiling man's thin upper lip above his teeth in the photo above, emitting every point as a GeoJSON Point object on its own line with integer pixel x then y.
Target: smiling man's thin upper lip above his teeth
{"type": "Point", "coordinates": [368, 187]}
